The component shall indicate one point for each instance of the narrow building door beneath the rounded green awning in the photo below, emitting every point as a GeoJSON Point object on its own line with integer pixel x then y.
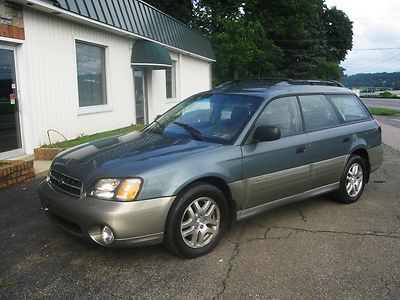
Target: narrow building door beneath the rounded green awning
{"type": "Point", "coordinates": [140, 96]}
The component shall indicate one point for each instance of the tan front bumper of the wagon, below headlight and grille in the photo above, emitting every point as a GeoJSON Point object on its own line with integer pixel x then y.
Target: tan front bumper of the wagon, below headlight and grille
{"type": "Point", "coordinates": [133, 223]}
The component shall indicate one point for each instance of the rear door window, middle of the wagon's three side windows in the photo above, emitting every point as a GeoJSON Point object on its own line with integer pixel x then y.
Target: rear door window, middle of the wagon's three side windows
{"type": "Point", "coordinates": [317, 112]}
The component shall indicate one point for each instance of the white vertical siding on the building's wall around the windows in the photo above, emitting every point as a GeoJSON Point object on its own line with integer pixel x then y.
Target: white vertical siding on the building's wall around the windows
{"type": "Point", "coordinates": [48, 88]}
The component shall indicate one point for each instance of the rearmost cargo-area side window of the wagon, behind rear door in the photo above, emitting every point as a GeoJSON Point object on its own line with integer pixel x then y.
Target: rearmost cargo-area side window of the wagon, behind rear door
{"type": "Point", "coordinates": [350, 108]}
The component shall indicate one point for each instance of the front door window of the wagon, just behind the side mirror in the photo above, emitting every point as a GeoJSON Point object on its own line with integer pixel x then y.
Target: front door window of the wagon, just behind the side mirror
{"type": "Point", "coordinates": [283, 113]}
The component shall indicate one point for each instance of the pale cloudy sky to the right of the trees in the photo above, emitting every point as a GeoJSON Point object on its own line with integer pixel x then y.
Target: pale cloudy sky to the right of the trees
{"type": "Point", "coordinates": [376, 25]}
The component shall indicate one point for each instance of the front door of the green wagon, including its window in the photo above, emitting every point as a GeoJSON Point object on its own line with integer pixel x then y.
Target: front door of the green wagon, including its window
{"type": "Point", "coordinates": [277, 169]}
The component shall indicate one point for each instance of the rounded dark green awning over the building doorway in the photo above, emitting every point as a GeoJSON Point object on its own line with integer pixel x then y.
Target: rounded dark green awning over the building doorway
{"type": "Point", "coordinates": [148, 54]}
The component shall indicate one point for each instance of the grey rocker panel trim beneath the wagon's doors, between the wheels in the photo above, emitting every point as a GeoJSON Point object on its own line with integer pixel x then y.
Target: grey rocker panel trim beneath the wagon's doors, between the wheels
{"type": "Point", "coordinates": [247, 213]}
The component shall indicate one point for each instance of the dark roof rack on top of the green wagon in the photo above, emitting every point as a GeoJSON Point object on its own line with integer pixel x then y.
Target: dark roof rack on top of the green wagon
{"type": "Point", "coordinates": [283, 80]}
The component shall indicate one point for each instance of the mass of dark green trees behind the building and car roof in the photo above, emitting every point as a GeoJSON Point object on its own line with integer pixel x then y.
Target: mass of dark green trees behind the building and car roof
{"type": "Point", "coordinates": [269, 38]}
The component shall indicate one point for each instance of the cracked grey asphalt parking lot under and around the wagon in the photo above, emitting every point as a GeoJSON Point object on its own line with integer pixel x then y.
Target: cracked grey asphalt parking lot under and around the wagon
{"type": "Point", "coordinates": [313, 249]}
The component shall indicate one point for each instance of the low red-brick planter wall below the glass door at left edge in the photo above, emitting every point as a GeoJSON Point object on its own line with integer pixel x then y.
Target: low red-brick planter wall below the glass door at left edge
{"type": "Point", "coordinates": [15, 172]}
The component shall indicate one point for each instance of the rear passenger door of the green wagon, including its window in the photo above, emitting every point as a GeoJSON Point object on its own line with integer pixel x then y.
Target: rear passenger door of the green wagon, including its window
{"type": "Point", "coordinates": [329, 142]}
